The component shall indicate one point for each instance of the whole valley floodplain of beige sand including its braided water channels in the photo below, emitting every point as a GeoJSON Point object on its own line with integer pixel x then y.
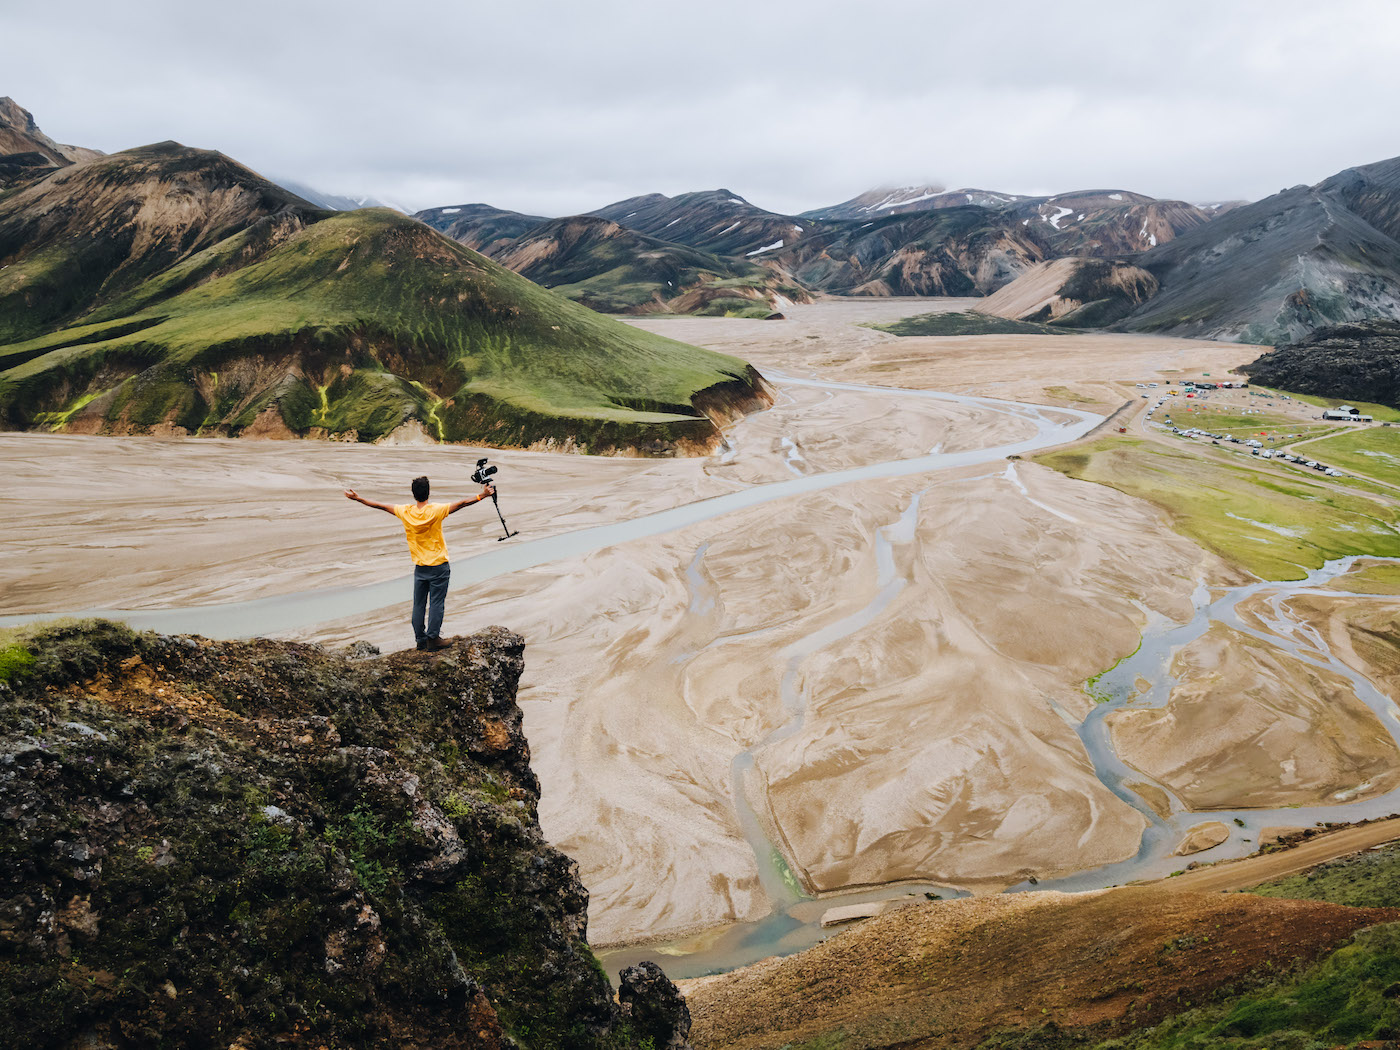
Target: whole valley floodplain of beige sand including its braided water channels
{"type": "Point", "coordinates": [846, 656]}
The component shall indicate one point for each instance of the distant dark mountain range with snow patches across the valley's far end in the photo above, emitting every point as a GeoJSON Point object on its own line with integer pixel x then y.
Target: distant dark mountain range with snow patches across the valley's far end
{"type": "Point", "coordinates": [911, 241]}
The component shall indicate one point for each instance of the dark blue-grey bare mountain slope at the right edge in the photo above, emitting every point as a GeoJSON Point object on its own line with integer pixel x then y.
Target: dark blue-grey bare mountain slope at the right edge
{"type": "Point", "coordinates": [1282, 268]}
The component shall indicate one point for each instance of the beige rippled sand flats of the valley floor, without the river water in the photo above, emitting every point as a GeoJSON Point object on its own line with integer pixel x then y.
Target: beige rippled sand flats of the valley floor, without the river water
{"type": "Point", "coordinates": [937, 740]}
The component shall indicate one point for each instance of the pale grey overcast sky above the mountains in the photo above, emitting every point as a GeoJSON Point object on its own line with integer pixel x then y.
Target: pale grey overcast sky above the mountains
{"type": "Point", "coordinates": [556, 108]}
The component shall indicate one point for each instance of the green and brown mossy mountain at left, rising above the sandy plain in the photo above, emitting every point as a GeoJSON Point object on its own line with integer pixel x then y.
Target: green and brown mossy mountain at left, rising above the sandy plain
{"type": "Point", "coordinates": [173, 290]}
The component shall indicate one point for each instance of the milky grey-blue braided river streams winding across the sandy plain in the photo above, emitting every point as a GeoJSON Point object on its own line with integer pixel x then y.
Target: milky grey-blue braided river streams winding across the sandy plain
{"type": "Point", "coordinates": [794, 922]}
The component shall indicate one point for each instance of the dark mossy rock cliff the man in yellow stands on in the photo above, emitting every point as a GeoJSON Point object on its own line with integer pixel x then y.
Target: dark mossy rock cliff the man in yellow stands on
{"type": "Point", "coordinates": [268, 843]}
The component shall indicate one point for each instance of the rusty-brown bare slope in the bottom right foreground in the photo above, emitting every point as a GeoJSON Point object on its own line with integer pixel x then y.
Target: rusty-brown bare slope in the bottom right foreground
{"type": "Point", "coordinates": [948, 974]}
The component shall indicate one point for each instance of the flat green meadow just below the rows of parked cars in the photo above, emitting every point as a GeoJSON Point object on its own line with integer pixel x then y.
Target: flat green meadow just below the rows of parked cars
{"type": "Point", "coordinates": [1276, 528]}
